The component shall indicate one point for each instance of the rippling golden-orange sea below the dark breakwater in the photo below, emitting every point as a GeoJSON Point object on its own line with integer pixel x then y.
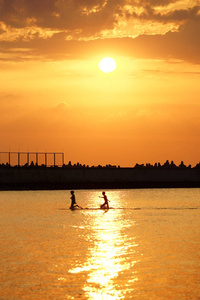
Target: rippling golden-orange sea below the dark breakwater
{"type": "Point", "coordinates": [147, 246]}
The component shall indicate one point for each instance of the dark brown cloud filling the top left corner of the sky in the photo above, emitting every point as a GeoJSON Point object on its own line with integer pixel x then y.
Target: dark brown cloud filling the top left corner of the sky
{"type": "Point", "coordinates": [57, 14]}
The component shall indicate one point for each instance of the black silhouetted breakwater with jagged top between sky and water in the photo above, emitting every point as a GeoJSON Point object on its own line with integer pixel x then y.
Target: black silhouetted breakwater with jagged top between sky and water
{"type": "Point", "coordinates": [79, 177]}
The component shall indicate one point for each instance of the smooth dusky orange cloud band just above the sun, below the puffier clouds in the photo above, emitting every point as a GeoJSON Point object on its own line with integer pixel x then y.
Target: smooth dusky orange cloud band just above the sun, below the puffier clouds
{"type": "Point", "coordinates": [183, 45]}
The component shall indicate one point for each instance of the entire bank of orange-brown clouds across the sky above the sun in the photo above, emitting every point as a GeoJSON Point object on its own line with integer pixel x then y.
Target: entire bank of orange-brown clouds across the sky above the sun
{"type": "Point", "coordinates": [61, 29]}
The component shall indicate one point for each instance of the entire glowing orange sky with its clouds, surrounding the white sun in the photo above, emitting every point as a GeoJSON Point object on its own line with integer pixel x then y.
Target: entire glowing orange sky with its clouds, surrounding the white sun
{"type": "Point", "coordinates": [53, 97]}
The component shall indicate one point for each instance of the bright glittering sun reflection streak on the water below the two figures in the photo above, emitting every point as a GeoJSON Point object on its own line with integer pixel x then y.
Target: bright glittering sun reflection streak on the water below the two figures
{"type": "Point", "coordinates": [111, 255]}
